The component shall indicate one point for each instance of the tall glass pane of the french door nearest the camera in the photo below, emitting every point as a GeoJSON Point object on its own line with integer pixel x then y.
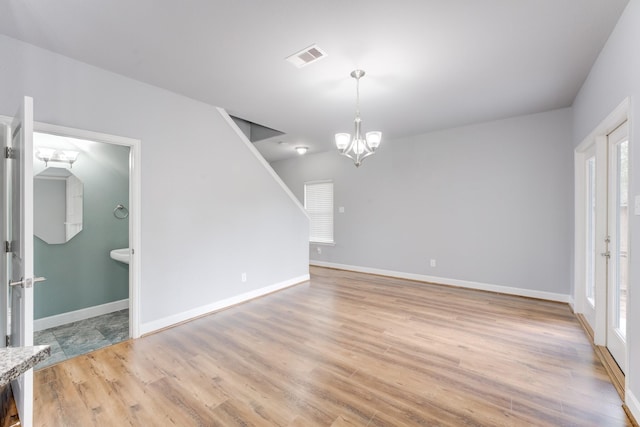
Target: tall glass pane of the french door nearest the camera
{"type": "Point", "coordinates": [622, 235]}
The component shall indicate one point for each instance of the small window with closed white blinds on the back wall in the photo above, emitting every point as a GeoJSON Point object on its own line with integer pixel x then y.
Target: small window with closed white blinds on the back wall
{"type": "Point", "coordinates": [318, 201]}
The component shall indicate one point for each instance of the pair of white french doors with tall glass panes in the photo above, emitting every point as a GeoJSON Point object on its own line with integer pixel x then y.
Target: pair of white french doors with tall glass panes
{"type": "Point", "coordinates": [603, 239]}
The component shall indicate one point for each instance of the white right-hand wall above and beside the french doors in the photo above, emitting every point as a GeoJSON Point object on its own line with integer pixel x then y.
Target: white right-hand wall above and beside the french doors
{"type": "Point", "coordinates": [614, 76]}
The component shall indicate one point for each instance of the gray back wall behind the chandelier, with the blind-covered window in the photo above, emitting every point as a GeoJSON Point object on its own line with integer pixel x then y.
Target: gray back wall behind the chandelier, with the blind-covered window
{"type": "Point", "coordinates": [490, 202]}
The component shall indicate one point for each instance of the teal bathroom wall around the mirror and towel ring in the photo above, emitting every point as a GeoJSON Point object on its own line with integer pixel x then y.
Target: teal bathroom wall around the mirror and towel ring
{"type": "Point", "coordinates": [80, 273]}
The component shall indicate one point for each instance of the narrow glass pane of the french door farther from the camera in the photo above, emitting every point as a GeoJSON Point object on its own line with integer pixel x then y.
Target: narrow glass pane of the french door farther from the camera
{"type": "Point", "coordinates": [590, 208]}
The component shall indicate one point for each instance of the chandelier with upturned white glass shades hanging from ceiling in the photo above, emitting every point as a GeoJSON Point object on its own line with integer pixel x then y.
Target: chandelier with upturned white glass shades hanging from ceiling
{"type": "Point", "coordinates": [358, 148]}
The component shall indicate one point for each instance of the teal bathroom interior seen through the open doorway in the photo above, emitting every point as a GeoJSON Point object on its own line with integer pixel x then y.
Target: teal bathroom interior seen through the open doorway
{"type": "Point", "coordinates": [81, 214]}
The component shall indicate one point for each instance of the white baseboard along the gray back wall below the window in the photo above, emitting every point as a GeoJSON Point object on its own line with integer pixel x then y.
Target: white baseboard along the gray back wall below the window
{"type": "Point", "coordinates": [451, 282]}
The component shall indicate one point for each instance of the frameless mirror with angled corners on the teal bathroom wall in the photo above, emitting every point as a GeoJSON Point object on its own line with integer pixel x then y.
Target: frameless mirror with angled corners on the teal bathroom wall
{"type": "Point", "coordinates": [57, 203]}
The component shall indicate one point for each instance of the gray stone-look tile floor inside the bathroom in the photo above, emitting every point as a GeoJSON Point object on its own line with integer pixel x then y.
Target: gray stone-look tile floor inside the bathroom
{"type": "Point", "coordinates": [84, 336]}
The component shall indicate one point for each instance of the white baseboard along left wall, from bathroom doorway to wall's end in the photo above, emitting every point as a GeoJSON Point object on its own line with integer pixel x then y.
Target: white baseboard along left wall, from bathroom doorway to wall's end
{"type": "Point", "coordinates": [155, 325]}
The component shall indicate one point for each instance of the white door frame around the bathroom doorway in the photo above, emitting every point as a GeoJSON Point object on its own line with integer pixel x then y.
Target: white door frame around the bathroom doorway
{"type": "Point", "coordinates": [134, 204]}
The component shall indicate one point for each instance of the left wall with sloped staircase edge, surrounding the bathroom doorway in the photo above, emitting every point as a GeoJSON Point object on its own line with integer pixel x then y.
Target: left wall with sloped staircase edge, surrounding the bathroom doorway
{"type": "Point", "coordinates": [210, 210]}
